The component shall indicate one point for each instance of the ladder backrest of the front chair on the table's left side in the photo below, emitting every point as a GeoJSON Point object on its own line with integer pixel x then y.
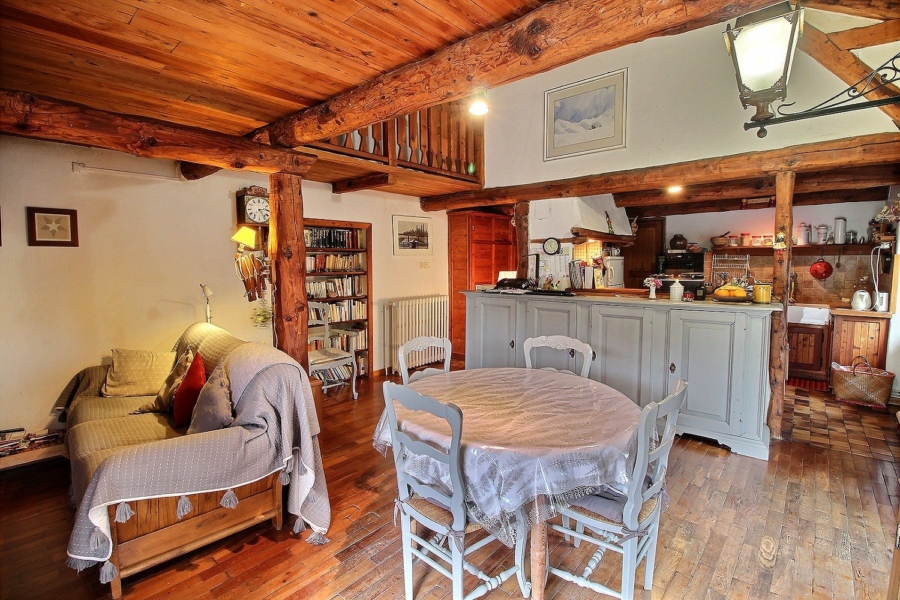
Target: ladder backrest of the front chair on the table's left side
{"type": "Point", "coordinates": [404, 444]}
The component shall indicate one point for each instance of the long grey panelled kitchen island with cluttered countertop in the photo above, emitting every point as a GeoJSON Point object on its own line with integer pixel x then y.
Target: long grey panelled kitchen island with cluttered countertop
{"type": "Point", "coordinates": [641, 347]}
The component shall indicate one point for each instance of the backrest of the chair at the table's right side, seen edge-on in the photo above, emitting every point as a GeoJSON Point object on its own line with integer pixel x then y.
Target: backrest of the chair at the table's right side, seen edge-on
{"type": "Point", "coordinates": [652, 456]}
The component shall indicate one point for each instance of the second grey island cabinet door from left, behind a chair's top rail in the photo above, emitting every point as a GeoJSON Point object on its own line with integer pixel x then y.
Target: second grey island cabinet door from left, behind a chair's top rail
{"type": "Point", "coordinates": [548, 317]}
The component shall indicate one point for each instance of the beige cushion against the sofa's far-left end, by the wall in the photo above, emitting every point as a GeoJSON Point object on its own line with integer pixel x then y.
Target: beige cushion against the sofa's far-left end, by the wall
{"type": "Point", "coordinates": [137, 372]}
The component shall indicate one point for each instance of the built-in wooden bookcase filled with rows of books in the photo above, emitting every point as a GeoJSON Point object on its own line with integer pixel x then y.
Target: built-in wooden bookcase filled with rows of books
{"type": "Point", "coordinates": [339, 273]}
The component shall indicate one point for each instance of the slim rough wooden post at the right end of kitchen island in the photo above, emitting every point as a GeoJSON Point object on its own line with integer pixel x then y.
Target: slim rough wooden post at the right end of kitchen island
{"type": "Point", "coordinates": [778, 354]}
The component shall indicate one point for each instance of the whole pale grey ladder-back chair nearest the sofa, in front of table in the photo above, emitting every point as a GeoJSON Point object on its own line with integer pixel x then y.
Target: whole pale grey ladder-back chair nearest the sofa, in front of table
{"type": "Point", "coordinates": [430, 505]}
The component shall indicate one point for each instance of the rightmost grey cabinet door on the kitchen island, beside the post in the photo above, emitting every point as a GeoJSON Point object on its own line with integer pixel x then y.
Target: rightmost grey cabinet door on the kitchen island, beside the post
{"type": "Point", "coordinates": [707, 349]}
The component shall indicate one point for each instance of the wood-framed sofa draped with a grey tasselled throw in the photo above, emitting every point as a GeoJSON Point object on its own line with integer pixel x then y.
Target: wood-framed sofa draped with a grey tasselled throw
{"type": "Point", "coordinates": [145, 492]}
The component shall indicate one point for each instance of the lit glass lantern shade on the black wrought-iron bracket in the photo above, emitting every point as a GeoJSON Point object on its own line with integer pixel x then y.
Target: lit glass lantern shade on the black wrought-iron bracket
{"type": "Point", "coordinates": [762, 47]}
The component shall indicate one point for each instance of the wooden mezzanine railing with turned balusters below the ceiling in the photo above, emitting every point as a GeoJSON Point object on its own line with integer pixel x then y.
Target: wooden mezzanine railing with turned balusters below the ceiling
{"type": "Point", "coordinates": [443, 139]}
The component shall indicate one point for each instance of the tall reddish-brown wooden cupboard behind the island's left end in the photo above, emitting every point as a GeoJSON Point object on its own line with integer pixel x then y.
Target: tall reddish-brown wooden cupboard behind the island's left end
{"type": "Point", "coordinates": [481, 245]}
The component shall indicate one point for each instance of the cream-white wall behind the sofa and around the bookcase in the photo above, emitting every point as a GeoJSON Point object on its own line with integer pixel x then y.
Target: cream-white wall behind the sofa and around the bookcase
{"type": "Point", "coordinates": [145, 246]}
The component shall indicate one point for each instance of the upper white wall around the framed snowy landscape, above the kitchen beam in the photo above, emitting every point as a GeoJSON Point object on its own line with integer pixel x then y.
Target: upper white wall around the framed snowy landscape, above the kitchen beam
{"type": "Point", "coordinates": [682, 105]}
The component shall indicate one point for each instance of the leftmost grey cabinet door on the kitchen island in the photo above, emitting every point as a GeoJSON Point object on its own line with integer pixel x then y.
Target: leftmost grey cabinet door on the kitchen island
{"type": "Point", "coordinates": [491, 333]}
